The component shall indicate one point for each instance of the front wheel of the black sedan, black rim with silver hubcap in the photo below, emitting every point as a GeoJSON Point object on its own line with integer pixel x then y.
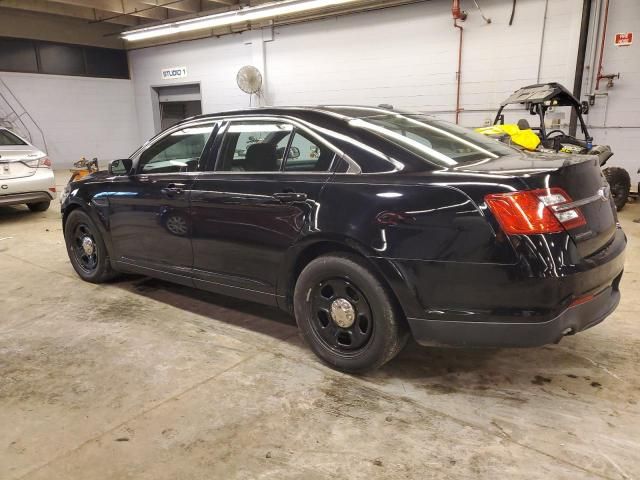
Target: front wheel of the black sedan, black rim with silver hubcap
{"type": "Point", "coordinates": [86, 248]}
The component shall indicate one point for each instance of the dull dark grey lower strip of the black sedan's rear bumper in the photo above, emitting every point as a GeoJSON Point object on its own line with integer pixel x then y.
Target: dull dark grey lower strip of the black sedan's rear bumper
{"type": "Point", "coordinates": [525, 334]}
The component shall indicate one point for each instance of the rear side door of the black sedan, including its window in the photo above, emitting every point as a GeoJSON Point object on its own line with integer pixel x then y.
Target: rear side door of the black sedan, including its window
{"type": "Point", "coordinates": [248, 208]}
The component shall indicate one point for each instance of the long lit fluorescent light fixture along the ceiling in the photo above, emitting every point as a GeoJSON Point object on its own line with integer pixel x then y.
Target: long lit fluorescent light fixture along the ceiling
{"type": "Point", "coordinates": [261, 12]}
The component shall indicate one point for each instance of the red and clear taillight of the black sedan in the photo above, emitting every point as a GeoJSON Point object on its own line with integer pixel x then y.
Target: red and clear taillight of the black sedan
{"type": "Point", "coordinates": [546, 210]}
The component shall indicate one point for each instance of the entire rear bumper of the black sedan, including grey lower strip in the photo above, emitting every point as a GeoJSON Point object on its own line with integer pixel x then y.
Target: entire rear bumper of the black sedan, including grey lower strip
{"type": "Point", "coordinates": [466, 304]}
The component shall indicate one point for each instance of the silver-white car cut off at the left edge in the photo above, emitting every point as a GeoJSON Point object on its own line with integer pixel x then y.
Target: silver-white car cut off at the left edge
{"type": "Point", "coordinates": [25, 174]}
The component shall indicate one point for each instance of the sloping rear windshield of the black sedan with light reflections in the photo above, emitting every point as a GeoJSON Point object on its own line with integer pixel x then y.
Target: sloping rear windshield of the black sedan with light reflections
{"type": "Point", "coordinates": [435, 141]}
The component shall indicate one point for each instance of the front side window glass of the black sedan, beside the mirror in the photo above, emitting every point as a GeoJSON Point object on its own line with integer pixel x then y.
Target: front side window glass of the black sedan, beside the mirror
{"type": "Point", "coordinates": [177, 152]}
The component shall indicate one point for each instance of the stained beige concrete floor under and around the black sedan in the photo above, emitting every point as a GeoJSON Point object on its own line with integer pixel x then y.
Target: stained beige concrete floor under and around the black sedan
{"type": "Point", "coordinates": [146, 380]}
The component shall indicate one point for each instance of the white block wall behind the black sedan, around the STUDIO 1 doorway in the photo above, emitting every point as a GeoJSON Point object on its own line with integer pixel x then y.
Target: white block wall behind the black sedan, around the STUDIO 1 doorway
{"type": "Point", "coordinates": [407, 57]}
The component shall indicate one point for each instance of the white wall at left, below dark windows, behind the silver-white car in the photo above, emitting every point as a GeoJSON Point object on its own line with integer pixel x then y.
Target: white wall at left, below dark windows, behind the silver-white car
{"type": "Point", "coordinates": [79, 116]}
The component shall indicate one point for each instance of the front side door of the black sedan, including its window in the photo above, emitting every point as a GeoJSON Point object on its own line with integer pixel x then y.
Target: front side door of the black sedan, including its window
{"type": "Point", "coordinates": [149, 215]}
